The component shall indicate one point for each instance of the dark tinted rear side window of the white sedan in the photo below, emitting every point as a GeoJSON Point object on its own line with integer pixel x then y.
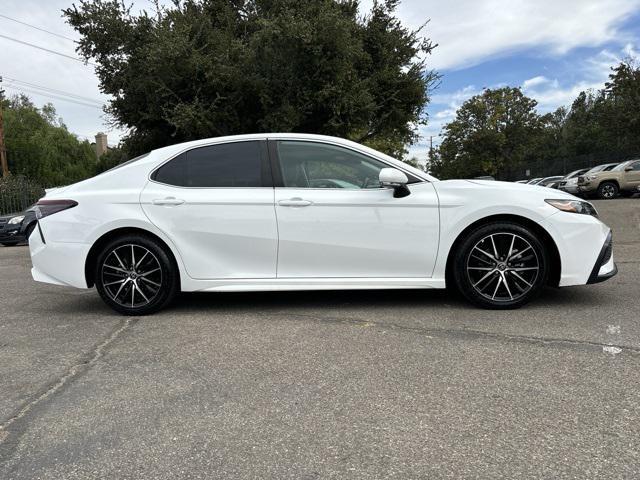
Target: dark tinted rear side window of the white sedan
{"type": "Point", "coordinates": [226, 165]}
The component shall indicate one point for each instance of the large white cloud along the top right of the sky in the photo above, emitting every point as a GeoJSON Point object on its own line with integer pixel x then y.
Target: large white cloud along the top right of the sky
{"type": "Point", "coordinates": [471, 31]}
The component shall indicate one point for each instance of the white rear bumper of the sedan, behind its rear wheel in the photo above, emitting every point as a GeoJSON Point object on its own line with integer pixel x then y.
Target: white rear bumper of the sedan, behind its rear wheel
{"type": "Point", "coordinates": [58, 262]}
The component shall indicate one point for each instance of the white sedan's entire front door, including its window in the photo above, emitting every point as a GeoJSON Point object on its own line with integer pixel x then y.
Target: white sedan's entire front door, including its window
{"type": "Point", "coordinates": [336, 221]}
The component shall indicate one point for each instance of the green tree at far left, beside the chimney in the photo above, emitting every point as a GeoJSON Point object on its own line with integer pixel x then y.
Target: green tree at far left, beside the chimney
{"type": "Point", "coordinates": [40, 147]}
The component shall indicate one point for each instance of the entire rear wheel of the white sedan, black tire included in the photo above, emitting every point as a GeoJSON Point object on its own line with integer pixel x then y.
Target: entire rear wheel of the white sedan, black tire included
{"type": "Point", "coordinates": [138, 283]}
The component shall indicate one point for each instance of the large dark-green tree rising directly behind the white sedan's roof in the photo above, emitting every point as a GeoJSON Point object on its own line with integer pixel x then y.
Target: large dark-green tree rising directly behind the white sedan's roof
{"type": "Point", "coordinates": [205, 68]}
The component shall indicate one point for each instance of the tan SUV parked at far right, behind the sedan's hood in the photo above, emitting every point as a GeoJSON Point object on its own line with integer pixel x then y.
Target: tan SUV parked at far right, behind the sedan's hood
{"type": "Point", "coordinates": [623, 178]}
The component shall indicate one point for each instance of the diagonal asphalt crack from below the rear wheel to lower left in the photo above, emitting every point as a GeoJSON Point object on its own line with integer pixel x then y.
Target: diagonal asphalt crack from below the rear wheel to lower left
{"type": "Point", "coordinates": [73, 372]}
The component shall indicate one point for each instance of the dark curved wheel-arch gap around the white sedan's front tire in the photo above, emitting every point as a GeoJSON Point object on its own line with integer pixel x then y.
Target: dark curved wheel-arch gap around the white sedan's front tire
{"type": "Point", "coordinates": [555, 267]}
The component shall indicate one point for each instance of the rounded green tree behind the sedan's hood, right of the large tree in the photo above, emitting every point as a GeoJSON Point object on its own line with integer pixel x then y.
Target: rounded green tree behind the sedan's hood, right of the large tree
{"type": "Point", "coordinates": [493, 134]}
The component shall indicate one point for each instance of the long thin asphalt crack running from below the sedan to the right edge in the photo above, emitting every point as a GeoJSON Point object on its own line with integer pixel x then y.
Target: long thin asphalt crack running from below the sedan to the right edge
{"type": "Point", "coordinates": [463, 332]}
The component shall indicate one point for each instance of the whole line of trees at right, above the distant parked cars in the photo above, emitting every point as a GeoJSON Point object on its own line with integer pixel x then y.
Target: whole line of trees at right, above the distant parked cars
{"type": "Point", "coordinates": [500, 132]}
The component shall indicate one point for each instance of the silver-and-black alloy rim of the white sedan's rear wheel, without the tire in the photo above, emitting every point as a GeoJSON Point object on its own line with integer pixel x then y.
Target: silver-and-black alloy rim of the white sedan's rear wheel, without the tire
{"type": "Point", "coordinates": [131, 275]}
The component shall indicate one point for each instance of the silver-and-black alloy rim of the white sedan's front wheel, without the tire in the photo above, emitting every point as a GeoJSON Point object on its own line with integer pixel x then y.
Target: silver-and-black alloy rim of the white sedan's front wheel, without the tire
{"type": "Point", "coordinates": [503, 267]}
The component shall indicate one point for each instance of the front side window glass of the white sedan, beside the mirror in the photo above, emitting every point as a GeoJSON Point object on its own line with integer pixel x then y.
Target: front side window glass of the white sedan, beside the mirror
{"type": "Point", "coordinates": [320, 165]}
